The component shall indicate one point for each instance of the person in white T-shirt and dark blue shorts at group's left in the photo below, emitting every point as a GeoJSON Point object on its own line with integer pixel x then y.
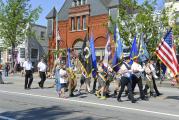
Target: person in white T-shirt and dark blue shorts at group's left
{"type": "Point", "coordinates": [63, 81]}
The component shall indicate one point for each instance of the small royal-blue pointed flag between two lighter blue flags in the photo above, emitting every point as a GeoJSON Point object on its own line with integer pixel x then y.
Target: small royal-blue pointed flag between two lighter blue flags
{"type": "Point", "coordinates": [134, 50]}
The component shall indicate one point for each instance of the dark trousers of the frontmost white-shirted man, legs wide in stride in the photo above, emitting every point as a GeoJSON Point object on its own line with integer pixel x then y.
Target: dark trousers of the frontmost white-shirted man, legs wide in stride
{"type": "Point", "coordinates": [126, 82]}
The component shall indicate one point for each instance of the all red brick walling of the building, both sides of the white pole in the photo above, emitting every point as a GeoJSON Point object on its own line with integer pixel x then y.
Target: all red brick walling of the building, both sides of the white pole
{"type": "Point", "coordinates": [97, 24]}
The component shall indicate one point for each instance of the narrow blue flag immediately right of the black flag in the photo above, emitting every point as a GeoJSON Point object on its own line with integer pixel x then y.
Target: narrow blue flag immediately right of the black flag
{"type": "Point", "coordinates": [93, 55]}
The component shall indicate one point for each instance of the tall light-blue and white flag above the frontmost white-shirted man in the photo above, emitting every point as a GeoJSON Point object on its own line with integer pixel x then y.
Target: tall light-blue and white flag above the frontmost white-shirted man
{"type": "Point", "coordinates": [118, 51]}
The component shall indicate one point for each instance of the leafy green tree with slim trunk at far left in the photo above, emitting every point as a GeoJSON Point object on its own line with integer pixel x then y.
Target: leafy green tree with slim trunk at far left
{"type": "Point", "coordinates": [15, 15]}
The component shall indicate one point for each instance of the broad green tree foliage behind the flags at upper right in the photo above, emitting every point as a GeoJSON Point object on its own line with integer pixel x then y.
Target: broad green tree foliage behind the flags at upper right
{"type": "Point", "coordinates": [137, 18]}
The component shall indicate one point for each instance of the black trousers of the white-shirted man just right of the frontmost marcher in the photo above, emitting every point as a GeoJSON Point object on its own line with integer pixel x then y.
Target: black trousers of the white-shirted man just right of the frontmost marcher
{"type": "Point", "coordinates": [136, 80]}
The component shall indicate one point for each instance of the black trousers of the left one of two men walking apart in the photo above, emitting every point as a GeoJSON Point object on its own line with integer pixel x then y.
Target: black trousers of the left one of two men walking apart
{"type": "Point", "coordinates": [28, 79]}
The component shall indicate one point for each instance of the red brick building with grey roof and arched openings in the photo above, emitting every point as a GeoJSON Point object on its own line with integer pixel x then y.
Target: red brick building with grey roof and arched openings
{"type": "Point", "coordinates": [77, 18]}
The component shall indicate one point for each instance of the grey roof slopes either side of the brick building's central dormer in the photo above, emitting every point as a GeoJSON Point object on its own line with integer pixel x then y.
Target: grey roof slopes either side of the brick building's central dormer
{"type": "Point", "coordinates": [97, 7]}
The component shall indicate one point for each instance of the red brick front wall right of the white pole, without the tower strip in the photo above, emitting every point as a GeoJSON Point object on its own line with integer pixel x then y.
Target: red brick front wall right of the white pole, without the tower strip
{"type": "Point", "coordinates": [96, 24]}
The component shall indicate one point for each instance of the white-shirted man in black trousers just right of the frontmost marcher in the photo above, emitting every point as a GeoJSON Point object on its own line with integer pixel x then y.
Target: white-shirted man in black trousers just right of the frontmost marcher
{"type": "Point", "coordinates": [137, 77]}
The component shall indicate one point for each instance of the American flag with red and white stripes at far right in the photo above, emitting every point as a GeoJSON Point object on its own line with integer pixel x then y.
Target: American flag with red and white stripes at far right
{"type": "Point", "coordinates": [166, 53]}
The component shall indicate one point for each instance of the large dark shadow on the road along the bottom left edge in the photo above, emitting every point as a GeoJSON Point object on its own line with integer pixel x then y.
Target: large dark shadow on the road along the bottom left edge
{"type": "Point", "coordinates": [50, 113]}
